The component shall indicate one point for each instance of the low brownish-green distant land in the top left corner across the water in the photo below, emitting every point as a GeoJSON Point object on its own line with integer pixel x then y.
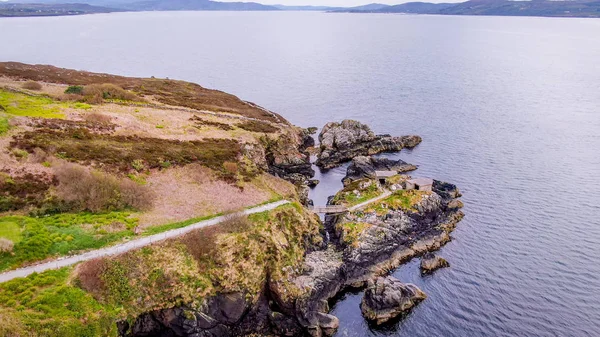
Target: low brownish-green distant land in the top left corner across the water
{"type": "Point", "coordinates": [23, 9]}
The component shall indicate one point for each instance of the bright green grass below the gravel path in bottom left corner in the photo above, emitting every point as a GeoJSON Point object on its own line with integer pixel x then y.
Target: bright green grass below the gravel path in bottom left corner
{"type": "Point", "coordinates": [47, 304]}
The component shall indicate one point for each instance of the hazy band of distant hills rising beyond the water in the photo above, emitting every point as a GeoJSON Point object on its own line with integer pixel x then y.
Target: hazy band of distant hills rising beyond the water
{"type": "Point", "coordinates": [555, 8]}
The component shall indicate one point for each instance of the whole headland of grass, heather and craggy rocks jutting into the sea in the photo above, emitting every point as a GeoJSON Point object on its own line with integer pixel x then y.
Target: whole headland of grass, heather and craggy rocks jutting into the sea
{"type": "Point", "coordinates": [189, 152]}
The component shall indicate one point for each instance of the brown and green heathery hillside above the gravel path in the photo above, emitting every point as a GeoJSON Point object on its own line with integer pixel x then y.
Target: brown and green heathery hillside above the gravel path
{"type": "Point", "coordinates": [90, 160]}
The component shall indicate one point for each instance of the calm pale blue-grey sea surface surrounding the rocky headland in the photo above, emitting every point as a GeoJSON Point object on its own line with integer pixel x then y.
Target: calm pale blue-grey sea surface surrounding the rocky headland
{"type": "Point", "coordinates": [509, 110]}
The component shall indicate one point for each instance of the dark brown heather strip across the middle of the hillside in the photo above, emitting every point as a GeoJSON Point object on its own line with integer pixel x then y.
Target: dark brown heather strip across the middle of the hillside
{"type": "Point", "coordinates": [119, 152]}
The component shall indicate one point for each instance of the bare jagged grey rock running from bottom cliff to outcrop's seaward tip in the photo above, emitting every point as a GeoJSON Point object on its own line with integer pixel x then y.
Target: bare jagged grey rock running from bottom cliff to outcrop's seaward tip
{"type": "Point", "coordinates": [388, 240]}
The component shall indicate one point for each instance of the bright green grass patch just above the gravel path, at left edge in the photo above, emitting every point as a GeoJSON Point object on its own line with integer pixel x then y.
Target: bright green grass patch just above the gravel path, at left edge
{"type": "Point", "coordinates": [58, 235]}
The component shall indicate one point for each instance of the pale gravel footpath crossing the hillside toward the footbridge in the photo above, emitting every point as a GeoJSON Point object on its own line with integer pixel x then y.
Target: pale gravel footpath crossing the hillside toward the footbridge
{"type": "Point", "coordinates": [125, 247]}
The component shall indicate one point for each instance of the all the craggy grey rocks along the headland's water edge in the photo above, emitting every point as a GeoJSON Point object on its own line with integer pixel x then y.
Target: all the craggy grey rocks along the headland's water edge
{"type": "Point", "coordinates": [363, 246]}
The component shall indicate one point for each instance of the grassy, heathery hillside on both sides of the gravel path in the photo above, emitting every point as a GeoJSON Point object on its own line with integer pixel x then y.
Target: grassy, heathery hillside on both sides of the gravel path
{"type": "Point", "coordinates": [91, 160]}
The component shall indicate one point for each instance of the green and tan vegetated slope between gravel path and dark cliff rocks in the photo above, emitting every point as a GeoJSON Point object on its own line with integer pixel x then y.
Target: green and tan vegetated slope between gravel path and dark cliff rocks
{"type": "Point", "coordinates": [88, 299]}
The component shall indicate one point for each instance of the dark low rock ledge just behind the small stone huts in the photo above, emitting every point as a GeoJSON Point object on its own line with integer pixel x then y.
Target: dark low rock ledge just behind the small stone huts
{"type": "Point", "coordinates": [365, 167]}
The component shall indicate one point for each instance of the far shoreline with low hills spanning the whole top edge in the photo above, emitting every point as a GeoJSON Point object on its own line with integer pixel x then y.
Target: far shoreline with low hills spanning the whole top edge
{"type": "Point", "coordinates": [543, 8]}
